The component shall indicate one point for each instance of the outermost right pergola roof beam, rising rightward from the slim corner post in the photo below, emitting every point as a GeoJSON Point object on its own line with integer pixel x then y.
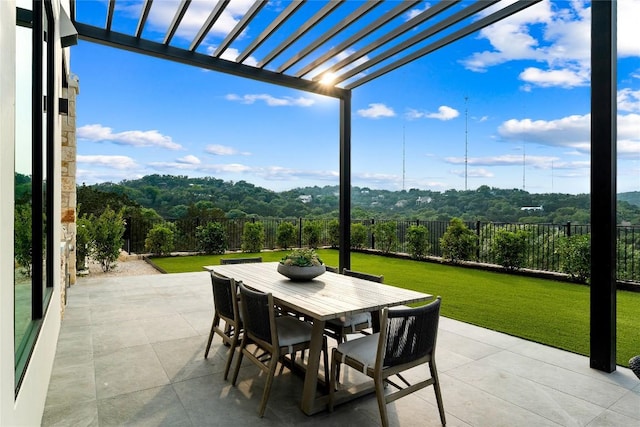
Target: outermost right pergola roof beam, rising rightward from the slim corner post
{"type": "Point", "coordinates": [457, 35]}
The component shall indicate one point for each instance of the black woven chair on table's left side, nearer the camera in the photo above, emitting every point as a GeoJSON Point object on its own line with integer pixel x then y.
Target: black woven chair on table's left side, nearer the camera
{"type": "Point", "coordinates": [276, 336]}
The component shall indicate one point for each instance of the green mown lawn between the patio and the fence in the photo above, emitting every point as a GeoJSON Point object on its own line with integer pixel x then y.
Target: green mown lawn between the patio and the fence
{"type": "Point", "coordinates": [550, 312]}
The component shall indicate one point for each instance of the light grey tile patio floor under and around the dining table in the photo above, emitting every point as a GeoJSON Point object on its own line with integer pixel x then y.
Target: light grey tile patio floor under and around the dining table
{"type": "Point", "coordinates": [131, 351]}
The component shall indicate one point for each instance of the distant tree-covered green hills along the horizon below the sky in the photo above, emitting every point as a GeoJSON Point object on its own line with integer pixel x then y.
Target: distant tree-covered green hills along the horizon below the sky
{"type": "Point", "coordinates": [175, 197]}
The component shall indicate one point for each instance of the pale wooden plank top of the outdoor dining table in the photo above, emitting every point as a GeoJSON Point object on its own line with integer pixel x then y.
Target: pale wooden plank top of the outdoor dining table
{"type": "Point", "coordinates": [328, 296]}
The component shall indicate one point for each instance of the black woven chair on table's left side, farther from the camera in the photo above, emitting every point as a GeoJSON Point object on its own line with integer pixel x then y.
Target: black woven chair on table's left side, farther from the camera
{"type": "Point", "coordinates": [225, 301]}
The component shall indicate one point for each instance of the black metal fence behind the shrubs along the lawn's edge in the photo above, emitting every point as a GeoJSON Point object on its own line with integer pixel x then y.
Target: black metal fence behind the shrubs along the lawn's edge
{"type": "Point", "coordinates": [542, 244]}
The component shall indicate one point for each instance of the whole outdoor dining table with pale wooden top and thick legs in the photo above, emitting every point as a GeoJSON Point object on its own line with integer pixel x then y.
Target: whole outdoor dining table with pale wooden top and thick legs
{"type": "Point", "coordinates": [326, 297]}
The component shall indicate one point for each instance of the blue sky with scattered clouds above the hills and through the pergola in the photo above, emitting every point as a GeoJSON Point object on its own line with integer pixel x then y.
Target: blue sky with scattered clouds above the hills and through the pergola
{"type": "Point", "coordinates": [516, 95]}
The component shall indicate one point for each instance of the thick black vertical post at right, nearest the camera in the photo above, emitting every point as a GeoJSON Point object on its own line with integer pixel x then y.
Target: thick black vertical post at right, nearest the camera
{"type": "Point", "coordinates": [603, 185]}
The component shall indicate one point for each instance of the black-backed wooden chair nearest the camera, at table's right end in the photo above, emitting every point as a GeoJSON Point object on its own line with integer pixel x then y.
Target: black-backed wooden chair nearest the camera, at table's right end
{"type": "Point", "coordinates": [407, 338]}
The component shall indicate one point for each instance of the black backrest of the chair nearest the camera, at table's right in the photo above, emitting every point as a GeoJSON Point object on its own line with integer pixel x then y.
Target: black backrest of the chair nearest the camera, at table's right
{"type": "Point", "coordinates": [411, 333]}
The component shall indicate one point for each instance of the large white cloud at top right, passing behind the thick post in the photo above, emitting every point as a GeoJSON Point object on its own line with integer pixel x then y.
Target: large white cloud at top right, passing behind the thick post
{"type": "Point", "coordinates": [563, 47]}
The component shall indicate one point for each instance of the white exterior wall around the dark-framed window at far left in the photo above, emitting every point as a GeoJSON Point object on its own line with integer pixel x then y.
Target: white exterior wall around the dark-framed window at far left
{"type": "Point", "coordinates": [25, 409]}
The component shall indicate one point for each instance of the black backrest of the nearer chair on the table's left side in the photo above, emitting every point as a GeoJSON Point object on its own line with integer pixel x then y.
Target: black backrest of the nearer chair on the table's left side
{"type": "Point", "coordinates": [258, 314]}
